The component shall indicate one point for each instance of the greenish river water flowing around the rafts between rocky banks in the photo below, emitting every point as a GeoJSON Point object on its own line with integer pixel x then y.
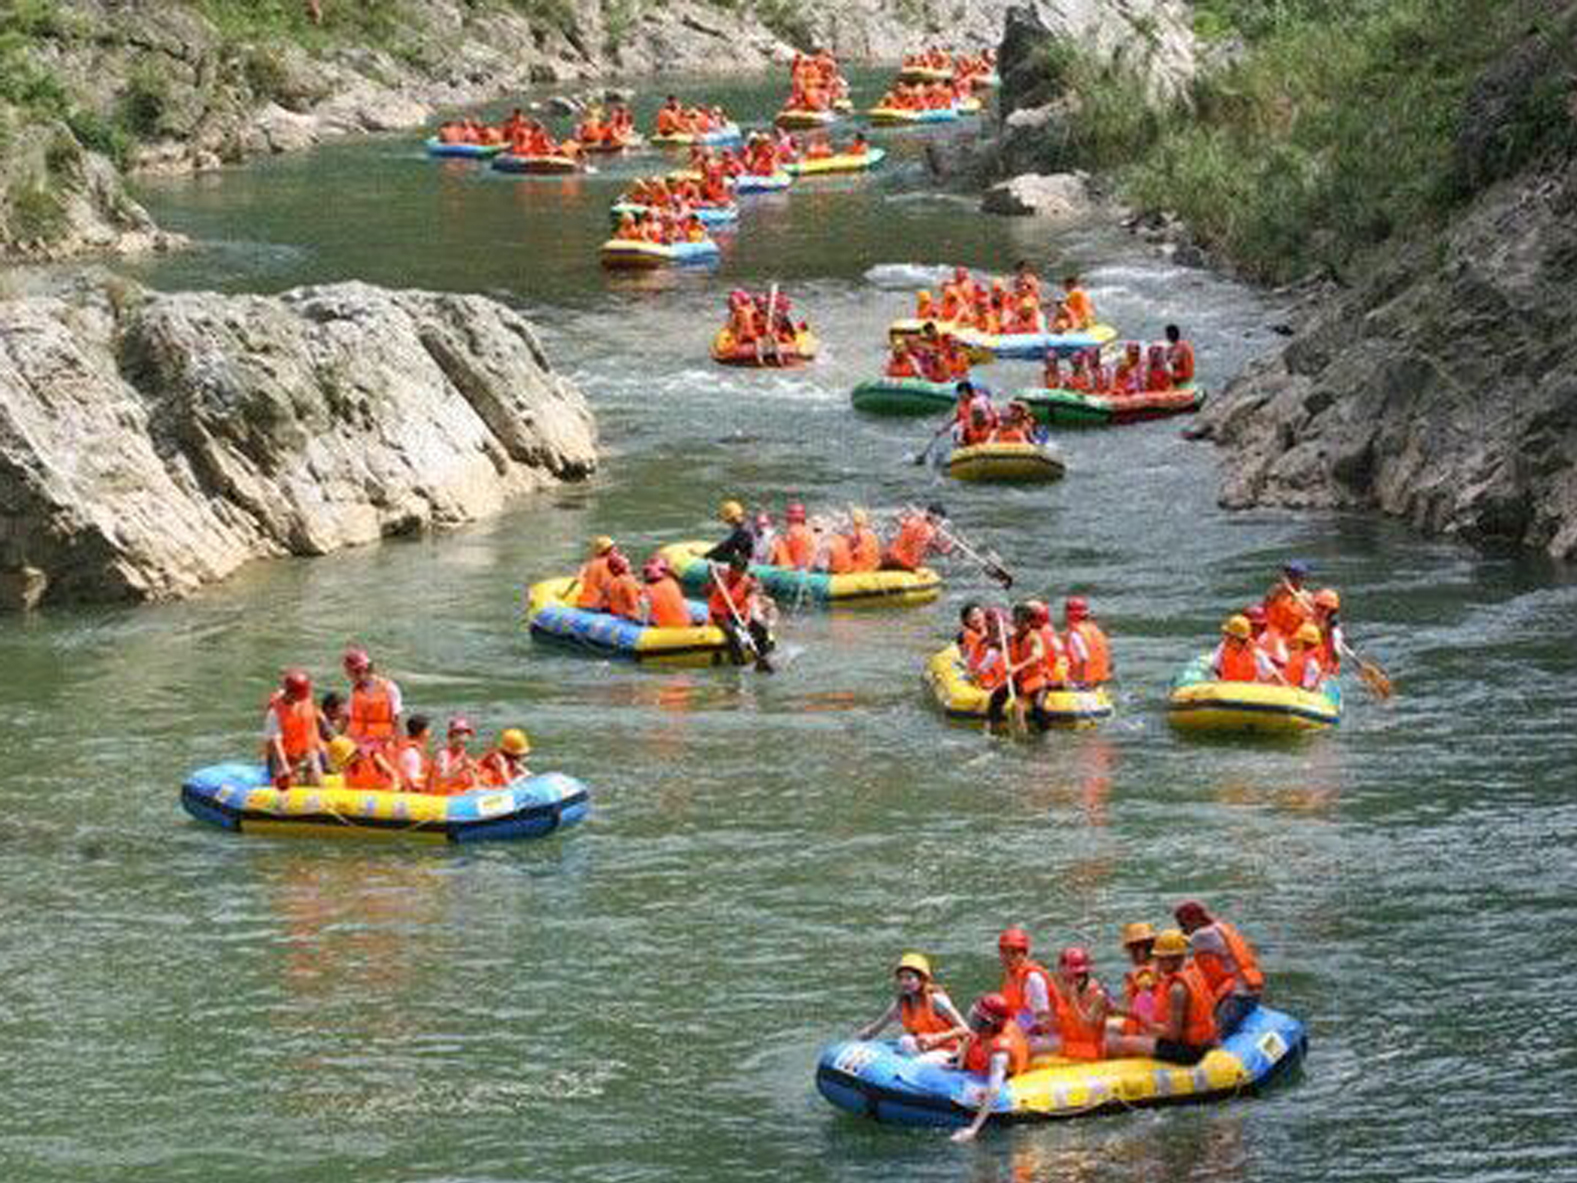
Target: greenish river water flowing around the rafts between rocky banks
{"type": "Point", "coordinates": [644, 998]}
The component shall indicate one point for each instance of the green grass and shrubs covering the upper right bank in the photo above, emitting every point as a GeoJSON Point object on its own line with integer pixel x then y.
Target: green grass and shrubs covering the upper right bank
{"type": "Point", "coordinates": [1337, 130]}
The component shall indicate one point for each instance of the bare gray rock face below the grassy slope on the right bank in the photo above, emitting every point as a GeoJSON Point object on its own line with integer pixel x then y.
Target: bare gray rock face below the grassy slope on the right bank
{"type": "Point", "coordinates": [1444, 390]}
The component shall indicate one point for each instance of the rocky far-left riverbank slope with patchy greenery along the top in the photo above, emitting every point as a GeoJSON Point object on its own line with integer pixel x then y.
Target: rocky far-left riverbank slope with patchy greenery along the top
{"type": "Point", "coordinates": [195, 84]}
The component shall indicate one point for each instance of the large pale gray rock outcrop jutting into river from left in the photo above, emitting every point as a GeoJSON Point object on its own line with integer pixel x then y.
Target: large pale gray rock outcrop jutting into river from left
{"type": "Point", "coordinates": [151, 446]}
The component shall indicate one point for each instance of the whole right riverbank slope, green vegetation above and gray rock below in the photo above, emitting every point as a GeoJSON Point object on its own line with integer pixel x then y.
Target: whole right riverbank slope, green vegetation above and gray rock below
{"type": "Point", "coordinates": [1419, 162]}
